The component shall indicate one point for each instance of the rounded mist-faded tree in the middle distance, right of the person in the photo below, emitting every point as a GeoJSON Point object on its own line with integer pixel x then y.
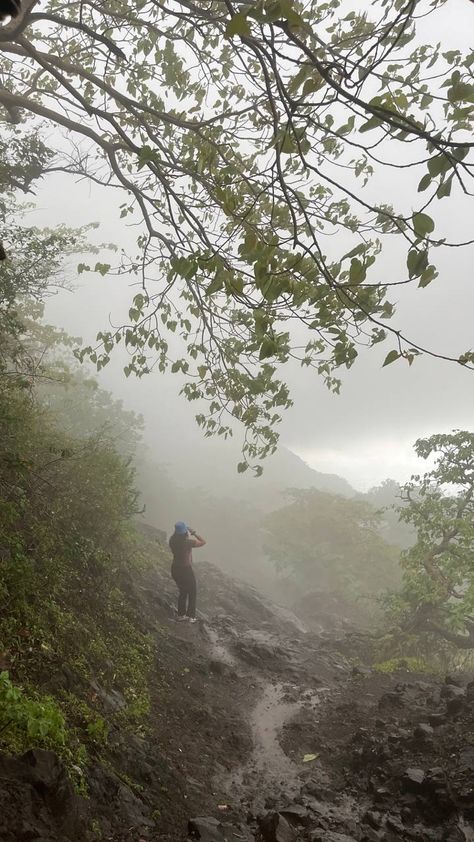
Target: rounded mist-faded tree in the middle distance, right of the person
{"type": "Point", "coordinates": [331, 543]}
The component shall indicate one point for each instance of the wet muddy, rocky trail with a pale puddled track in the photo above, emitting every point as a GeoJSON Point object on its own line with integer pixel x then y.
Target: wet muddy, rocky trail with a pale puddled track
{"type": "Point", "coordinates": [261, 729]}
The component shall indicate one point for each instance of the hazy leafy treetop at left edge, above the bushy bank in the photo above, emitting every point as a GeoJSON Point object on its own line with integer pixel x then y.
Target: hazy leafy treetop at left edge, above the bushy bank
{"type": "Point", "coordinates": [34, 269]}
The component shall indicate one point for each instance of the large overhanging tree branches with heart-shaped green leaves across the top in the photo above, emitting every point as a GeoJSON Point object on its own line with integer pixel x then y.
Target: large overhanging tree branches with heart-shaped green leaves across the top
{"type": "Point", "coordinates": [243, 134]}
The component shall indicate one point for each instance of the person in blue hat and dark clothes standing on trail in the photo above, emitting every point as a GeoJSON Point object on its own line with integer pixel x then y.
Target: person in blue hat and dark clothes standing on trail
{"type": "Point", "coordinates": [182, 543]}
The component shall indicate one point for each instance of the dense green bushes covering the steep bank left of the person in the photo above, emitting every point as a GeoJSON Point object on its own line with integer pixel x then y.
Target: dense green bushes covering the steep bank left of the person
{"type": "Point", "coordinates": [66, 544]}
